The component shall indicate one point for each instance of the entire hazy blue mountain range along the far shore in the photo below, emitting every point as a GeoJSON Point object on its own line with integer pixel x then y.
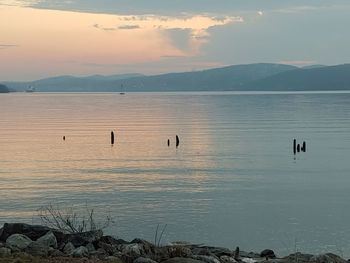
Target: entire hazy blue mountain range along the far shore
{"type": "Point", "coordinates": [250, 77]}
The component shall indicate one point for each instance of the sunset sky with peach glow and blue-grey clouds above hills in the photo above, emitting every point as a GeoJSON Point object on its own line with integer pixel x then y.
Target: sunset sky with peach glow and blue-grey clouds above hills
{"type": "Point", "coordinates": [43, 38]}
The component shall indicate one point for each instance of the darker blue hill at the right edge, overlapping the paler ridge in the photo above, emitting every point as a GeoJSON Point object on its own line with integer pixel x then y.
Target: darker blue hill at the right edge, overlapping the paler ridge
{"type": "Point", "coordinates": [319, 78]}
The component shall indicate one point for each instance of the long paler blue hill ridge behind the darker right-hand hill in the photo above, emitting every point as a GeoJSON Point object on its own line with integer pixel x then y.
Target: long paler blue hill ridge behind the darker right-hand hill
{"type": "Point", "coordinates": [226, 78]}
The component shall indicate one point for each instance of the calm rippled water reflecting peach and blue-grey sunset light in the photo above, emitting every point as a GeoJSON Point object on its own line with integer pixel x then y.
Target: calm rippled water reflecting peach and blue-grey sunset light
{"type": "Point", "coordinates": [233, 181]}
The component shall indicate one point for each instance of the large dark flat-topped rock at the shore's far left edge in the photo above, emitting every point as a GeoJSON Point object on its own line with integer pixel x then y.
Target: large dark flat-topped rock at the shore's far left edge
{"type": "Point", "coordinates": [31, 231]}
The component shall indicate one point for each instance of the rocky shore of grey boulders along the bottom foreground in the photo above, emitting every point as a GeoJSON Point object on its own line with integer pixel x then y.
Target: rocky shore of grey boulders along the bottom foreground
{"type": "Point", "coordinates": [34, 243]}
